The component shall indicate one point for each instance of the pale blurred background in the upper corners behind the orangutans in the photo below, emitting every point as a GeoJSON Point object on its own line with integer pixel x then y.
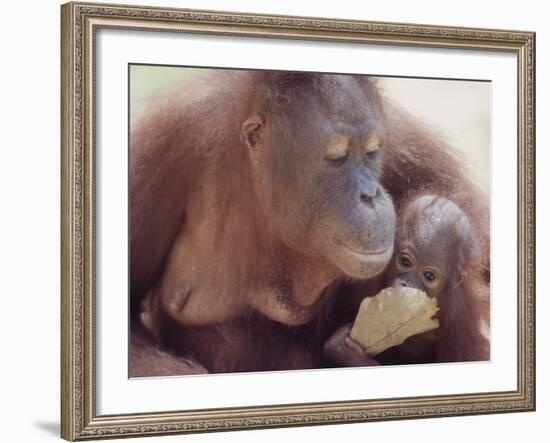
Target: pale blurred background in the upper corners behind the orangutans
{"type": "Point", "coordinates": [459, 110]}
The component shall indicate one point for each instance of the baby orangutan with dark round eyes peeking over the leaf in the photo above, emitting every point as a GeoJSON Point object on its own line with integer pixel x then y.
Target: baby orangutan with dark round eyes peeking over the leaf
{"type": "Point", "coordinates": [435, 252]}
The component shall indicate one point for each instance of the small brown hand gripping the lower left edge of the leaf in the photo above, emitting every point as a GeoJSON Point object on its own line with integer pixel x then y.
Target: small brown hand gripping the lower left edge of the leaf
{"type": "Point", "coordinates": [343, 350]}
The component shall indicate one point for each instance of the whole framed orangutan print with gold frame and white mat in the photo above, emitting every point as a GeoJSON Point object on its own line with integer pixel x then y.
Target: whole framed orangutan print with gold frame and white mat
{"type": "Point", "coordinates": [282, 221]}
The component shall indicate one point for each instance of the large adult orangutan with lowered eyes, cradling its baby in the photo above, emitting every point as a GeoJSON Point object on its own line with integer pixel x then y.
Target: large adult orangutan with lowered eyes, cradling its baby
{"type": "Point", "coordinates": [253, 196]}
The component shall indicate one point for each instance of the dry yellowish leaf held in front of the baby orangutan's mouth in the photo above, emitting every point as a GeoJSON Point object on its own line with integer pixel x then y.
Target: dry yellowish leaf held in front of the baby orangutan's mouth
{"type": "Point", "coordinates": [392, 316]}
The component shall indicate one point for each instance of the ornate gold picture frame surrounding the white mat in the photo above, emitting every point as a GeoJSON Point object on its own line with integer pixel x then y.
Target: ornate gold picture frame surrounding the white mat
{"type": "Point", "coordinates": [80, 415]}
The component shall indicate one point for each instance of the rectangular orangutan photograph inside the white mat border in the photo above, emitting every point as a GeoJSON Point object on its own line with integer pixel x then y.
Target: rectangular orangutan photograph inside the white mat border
{"type": "Point", "coordinates": [288, 220]}
